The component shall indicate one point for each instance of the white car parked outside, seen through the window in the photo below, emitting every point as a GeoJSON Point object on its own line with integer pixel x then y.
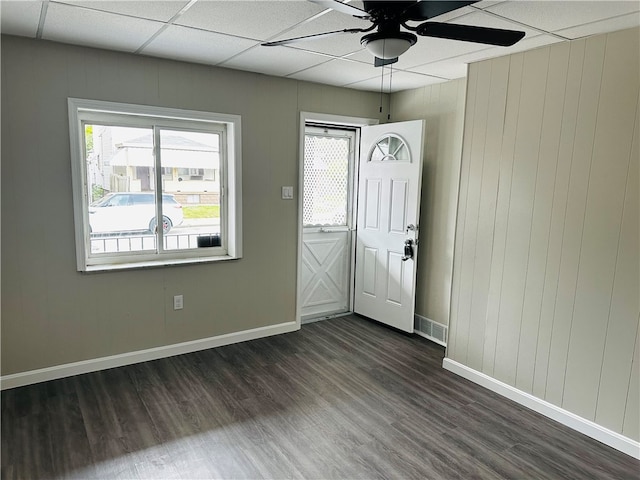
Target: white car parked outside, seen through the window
{"type": "Point", "coordinates": [132, 211]}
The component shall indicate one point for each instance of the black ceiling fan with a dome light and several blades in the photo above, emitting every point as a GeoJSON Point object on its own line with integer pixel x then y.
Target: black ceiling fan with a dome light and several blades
{"type": "Point", "coordinates": [388, 42]}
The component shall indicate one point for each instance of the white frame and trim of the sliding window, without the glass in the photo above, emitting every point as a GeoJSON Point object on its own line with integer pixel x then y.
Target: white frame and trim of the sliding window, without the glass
{"type": "Point", "coordinates": [122, 114]}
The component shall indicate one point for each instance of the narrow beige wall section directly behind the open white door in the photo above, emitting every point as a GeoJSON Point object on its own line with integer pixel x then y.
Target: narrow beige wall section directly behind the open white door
{"type": "Point", "coordinates": [442, 108]}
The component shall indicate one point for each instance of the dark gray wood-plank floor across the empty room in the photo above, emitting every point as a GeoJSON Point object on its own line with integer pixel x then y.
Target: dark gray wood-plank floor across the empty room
{"type": "Point", "coordinates": [342, 398]}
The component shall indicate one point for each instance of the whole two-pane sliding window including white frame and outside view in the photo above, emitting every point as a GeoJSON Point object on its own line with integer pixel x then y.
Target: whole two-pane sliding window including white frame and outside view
{"type": "Point", "coordinates": [141, 194]}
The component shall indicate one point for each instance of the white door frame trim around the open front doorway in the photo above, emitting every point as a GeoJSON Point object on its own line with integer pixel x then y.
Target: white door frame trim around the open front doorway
{"type": "Point", "coordinates": [330, 121]}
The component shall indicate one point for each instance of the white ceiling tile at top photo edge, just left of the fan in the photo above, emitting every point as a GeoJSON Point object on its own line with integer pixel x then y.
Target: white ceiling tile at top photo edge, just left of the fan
{"type": "Point", "coordinates": [250, 19]}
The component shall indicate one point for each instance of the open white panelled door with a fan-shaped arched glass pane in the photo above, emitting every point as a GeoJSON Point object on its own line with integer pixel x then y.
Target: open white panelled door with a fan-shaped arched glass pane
{"type": "Point", "coordinates": [388, 210]}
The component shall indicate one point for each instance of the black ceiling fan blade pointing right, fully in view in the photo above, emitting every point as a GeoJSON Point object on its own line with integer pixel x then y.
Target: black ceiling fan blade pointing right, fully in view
{"type": "Point", "coordinates": [470, 33]}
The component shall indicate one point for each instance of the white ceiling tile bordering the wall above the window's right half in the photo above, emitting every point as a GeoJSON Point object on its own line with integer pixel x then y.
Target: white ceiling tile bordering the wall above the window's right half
{"type": "Point", "coordinates": [191, 44]}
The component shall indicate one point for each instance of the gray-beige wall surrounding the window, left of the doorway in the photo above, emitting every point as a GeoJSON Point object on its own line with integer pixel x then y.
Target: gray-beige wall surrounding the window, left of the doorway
{"type": "Point", "coordinates": [52, 314]}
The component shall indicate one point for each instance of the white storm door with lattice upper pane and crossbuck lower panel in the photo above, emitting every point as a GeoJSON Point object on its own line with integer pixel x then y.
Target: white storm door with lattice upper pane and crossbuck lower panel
{"type": "Point", "coordinates": [329, 155]}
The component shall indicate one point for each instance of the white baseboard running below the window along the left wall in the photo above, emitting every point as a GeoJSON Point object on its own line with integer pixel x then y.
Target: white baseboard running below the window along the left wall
{"type": "Point", "coordinates": [129, 358]}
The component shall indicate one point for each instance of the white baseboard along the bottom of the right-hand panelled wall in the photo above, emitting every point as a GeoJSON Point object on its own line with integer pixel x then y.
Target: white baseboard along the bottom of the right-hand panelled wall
{"type": "Point", "coordinates": [571, 420]}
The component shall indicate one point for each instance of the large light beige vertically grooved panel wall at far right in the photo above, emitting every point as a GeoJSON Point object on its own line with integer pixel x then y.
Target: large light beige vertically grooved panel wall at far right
{"type": "Point", "coordinates": [546, 271]}
